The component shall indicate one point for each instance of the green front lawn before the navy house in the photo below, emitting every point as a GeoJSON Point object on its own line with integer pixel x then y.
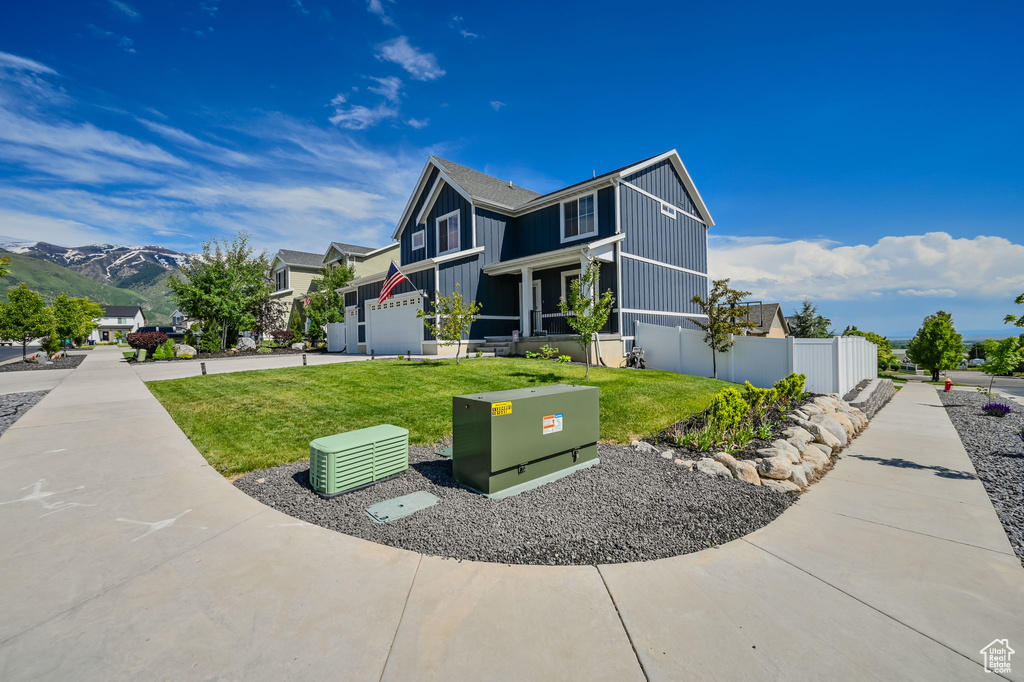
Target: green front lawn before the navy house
{"type": "Point", "coordinates": [252, 420]}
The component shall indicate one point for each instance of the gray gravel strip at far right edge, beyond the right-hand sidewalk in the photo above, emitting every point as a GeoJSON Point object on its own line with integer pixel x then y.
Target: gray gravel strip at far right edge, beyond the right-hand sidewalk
{"type": "Point", "coordinates": [998, 455]}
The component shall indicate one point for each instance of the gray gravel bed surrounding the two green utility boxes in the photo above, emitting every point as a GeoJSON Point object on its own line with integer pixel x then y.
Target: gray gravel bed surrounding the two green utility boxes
{"type": "Point", "coordinates": [630, 507]}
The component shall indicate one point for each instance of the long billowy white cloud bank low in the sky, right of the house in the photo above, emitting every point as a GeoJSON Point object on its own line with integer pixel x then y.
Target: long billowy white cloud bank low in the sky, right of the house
{"type": "Point", "coordinates": [934, 265]}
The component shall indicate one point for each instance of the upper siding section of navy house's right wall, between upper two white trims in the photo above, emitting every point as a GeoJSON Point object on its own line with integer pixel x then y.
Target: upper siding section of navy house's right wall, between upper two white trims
{"type": "Point", "coordinates": [650, 234]}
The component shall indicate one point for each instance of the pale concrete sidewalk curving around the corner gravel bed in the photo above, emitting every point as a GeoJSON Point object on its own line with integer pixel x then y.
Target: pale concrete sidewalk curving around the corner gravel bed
{"type": "Point", "coordinates": [126, 557]}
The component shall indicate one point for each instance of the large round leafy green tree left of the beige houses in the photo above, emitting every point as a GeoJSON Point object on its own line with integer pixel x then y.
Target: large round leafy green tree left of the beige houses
{"type": "Point", "coordinates": [223, 286]}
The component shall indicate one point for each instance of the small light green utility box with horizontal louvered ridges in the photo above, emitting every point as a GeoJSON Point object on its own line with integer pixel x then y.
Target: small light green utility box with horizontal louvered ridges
{"type": "Point", "coordinates": [346, 462]}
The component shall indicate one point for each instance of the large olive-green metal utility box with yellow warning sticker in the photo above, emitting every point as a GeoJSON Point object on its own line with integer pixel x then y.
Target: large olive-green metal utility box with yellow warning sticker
{"type": "Point", "coordinates": [506, 443]}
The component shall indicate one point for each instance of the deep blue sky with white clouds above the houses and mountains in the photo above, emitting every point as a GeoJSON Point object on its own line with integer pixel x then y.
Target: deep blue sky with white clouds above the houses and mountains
{"type": "Point", "coordinates": [867, 157]}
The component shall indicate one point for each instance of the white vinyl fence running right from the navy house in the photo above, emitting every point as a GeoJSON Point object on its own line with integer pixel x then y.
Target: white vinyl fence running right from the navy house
{"type": "Point", "coordinates": [832, 366]}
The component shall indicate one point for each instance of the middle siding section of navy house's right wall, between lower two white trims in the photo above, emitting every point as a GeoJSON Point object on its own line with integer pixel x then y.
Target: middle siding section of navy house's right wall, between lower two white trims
{"type": "Point", "coordinates": [649, 287]}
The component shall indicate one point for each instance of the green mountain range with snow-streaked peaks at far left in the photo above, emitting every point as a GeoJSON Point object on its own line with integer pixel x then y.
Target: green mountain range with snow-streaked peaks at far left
{"type": "Point", "coordinates": [108, 274]}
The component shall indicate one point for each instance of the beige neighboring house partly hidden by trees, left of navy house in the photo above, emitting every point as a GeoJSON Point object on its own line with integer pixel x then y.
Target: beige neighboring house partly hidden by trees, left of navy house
{"type": "Point", "coordinates": [294, 273]}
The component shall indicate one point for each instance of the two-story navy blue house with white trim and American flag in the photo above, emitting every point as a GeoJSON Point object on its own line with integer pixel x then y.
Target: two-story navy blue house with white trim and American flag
{"type": "Point", "coordinates": [518, 252]}
